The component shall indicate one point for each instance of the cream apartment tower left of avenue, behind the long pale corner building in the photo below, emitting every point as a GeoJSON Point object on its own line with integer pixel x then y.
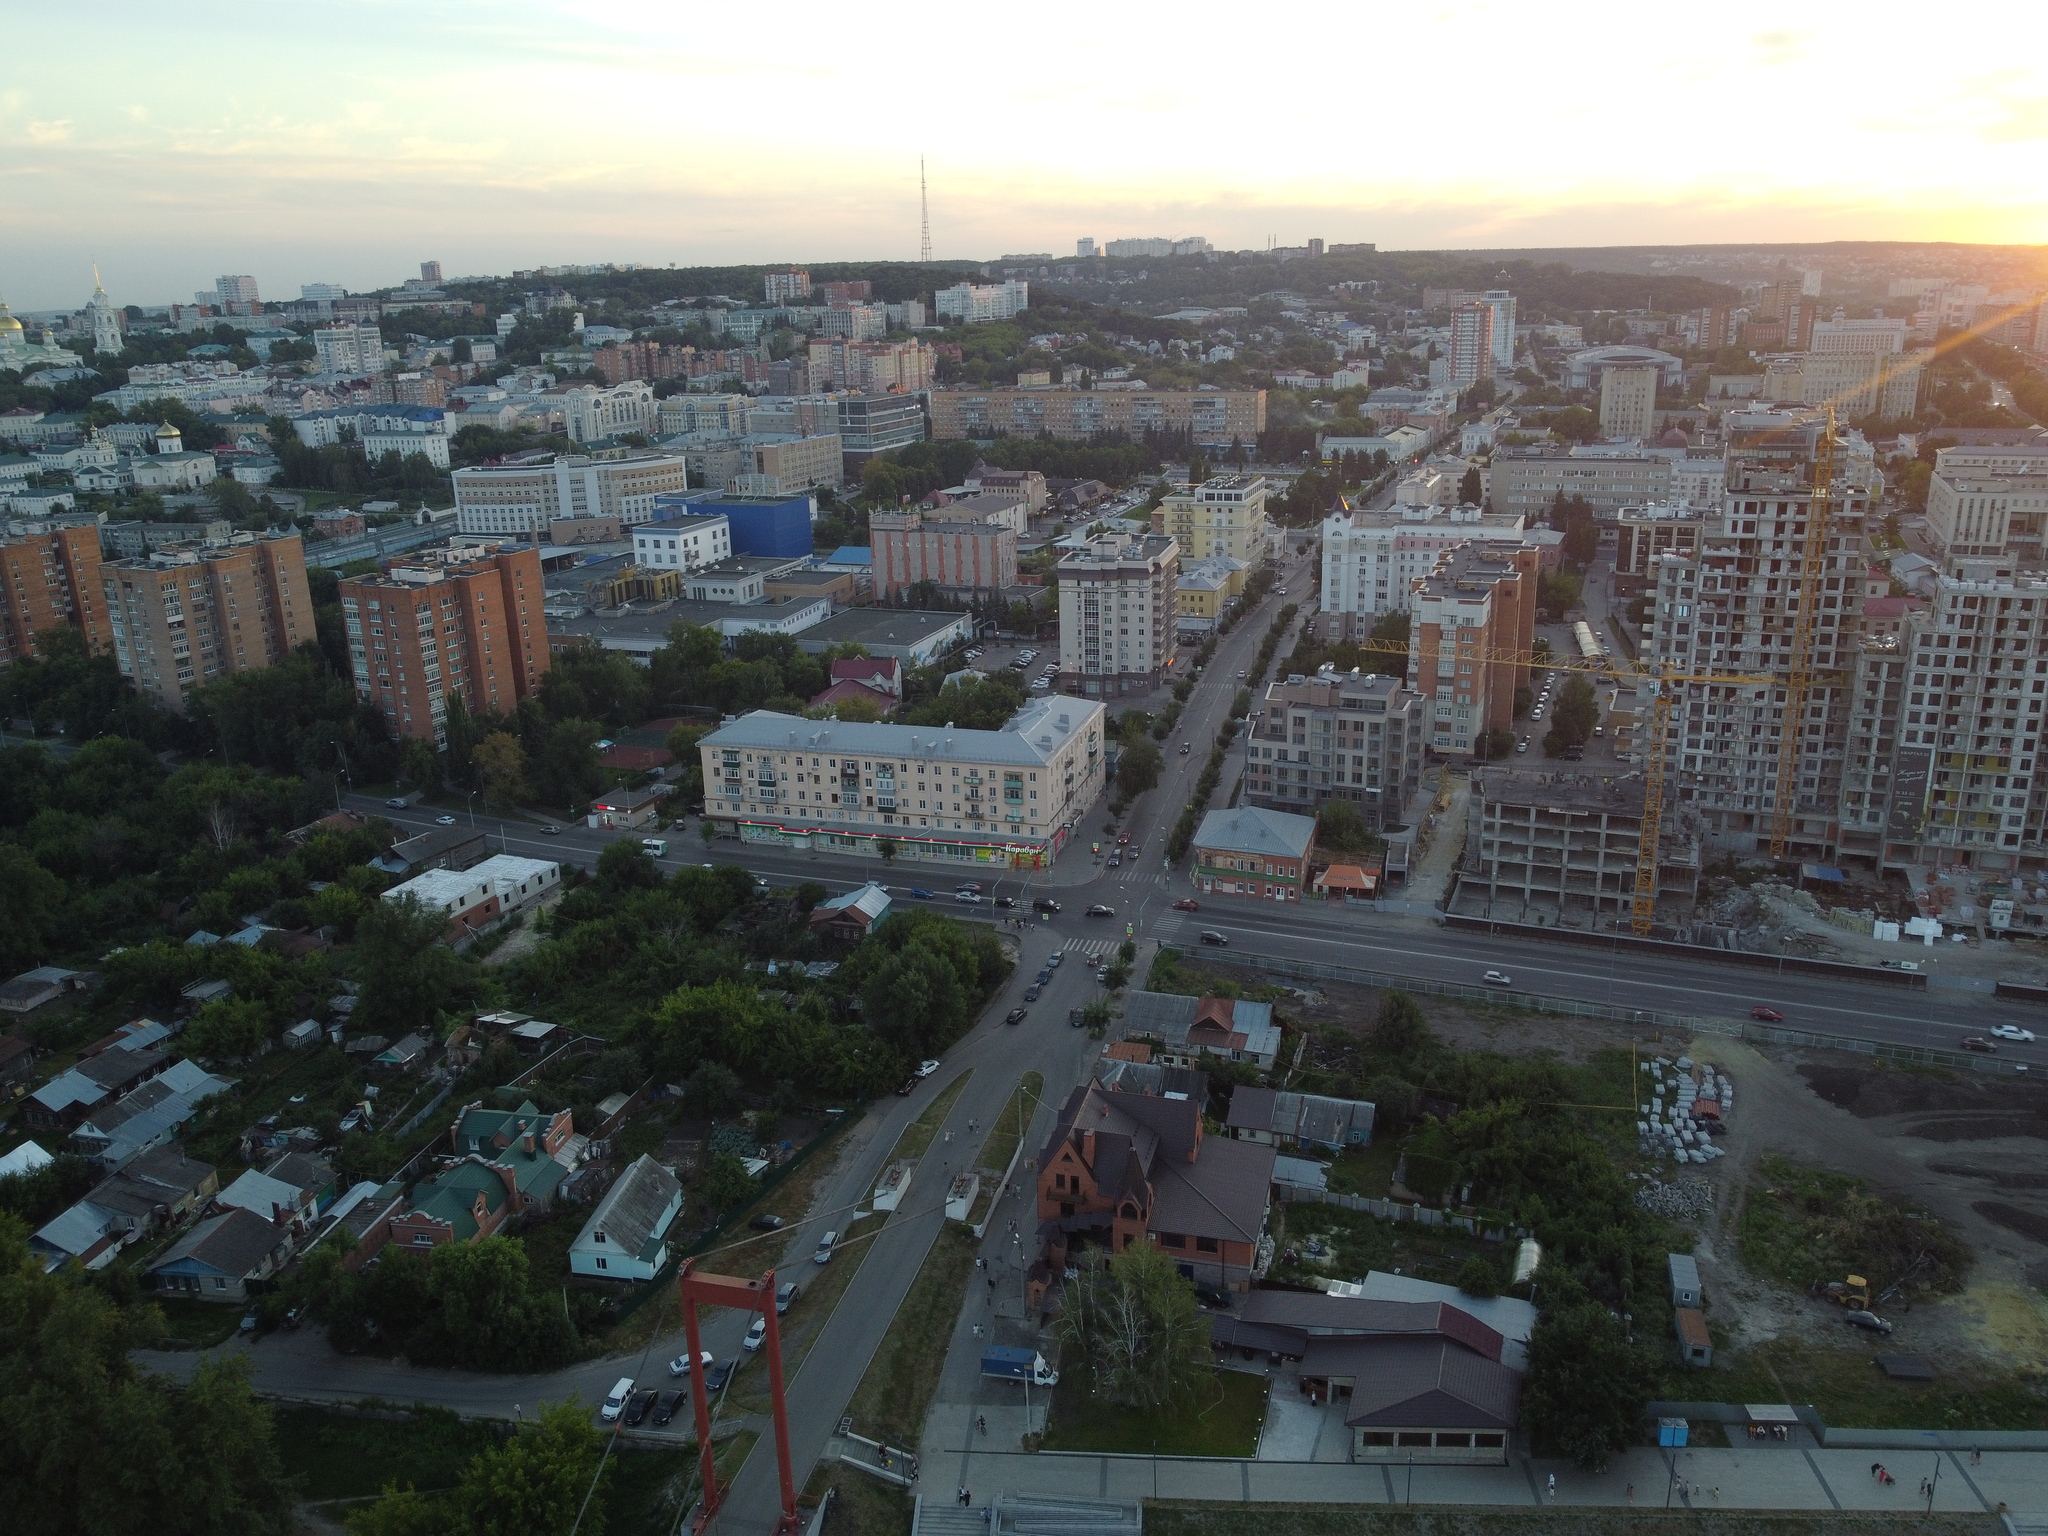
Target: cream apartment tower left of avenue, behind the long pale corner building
{"type": "Point", "coordinates": [1117, 615]}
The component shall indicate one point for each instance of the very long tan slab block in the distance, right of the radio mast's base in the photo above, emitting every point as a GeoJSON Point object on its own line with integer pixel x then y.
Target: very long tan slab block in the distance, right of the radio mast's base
{"type": "Point", "coordinates": [1209, 417]}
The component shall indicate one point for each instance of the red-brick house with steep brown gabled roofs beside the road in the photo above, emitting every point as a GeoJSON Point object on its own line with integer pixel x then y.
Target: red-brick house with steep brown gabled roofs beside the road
{"type": "Point", "coordinates": [1127, 1168]}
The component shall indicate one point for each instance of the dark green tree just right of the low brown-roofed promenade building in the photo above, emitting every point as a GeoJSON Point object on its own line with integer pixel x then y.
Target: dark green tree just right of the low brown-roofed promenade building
{"type": "Point", "coordinates": [1588, 1385]}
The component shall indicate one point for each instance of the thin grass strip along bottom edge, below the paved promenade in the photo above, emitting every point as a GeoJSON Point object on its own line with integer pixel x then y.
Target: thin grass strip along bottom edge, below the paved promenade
{"type": "Point", "coordinates": [1177, 1519]}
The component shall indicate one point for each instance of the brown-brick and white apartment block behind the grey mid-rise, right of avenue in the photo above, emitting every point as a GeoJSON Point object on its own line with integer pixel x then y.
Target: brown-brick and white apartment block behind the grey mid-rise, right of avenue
{"type": "Point", "coordinates": [1474, 622]}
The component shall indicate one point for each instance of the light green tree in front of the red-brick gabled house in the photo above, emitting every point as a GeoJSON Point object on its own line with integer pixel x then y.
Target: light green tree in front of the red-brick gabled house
{"type": "Point", "coordinates": [1140, 1330]}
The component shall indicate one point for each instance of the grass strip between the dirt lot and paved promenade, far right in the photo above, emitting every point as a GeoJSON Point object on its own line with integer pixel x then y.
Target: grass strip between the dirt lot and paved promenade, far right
{"type": "Point", "coordinates": [1848, 1390]}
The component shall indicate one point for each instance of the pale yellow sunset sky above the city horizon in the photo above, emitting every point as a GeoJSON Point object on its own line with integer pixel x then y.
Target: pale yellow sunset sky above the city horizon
{"type": "Point", "coordinates": [351, 140]}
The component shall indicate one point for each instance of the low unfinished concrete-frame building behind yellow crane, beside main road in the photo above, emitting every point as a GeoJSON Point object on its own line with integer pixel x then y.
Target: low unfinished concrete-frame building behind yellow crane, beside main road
{"type": "Point", "coordinates": [1539, 845]}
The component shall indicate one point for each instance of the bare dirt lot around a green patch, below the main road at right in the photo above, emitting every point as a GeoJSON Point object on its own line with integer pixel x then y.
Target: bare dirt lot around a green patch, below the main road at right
{"type": "Point", "coordinates": [1967, 1150]}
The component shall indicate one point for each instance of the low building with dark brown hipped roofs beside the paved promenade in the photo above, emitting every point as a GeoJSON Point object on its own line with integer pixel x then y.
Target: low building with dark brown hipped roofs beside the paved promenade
{"type": "Point", "coordinates": [1424, 1379]}
